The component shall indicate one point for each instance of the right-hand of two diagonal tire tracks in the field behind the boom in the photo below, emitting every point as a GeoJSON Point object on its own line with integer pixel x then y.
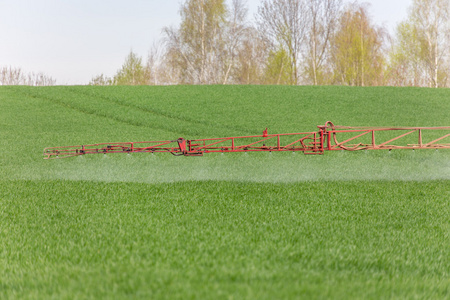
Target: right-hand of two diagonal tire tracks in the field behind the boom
{"type": "Point", "coordinates": [235, 129]}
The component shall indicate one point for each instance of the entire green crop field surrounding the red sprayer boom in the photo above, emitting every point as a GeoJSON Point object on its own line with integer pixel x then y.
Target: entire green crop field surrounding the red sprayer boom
{"type": "Point", "coordinates": [343, 225]}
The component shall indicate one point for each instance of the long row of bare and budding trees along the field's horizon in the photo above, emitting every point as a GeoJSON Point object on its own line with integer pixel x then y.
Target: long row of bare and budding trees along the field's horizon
{"type": "Point", "coordinates": [292, 42]}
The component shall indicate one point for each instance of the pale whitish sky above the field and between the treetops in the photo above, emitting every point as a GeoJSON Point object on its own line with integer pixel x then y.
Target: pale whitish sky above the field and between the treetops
{"type": "Point", "coordinates": [75, 40]}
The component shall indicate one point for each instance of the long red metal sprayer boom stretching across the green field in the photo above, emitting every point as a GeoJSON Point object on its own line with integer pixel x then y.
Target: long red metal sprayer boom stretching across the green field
{"type": "Point", "coordinates": [328, 138]}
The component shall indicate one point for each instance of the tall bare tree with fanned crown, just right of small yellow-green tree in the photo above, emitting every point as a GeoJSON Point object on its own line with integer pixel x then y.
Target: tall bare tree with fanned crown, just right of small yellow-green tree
{"type": "Point", "coordinates": [283, 23]}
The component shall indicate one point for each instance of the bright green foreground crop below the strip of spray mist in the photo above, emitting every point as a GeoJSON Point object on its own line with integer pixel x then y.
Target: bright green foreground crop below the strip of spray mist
{"type": "Point", "coordinates": [69, 239]}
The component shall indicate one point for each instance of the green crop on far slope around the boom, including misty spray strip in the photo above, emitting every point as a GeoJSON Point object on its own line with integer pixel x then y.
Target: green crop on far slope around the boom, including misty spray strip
{"type": "Point", "coordinates": [35, 118]}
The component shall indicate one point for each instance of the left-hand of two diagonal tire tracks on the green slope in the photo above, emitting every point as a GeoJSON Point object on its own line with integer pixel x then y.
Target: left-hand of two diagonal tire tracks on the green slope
{"type": "Point", "coordinates": [79, 109]}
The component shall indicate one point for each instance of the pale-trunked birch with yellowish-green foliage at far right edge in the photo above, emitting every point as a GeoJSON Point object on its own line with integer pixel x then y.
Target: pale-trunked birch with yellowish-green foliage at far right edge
{"type": "Point", "coordinates": [420, 56]}
